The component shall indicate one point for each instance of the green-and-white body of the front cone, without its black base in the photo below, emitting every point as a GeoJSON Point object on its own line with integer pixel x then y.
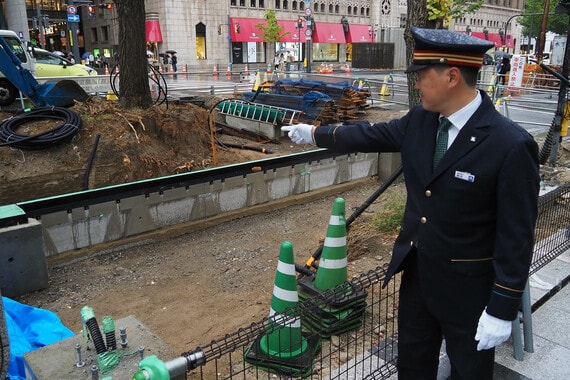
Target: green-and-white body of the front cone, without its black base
{"type": "Point", "coordinates": [284, 339]}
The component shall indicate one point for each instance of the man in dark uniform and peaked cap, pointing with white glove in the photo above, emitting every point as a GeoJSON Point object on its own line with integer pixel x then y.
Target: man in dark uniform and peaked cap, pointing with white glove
{"type": "Point", "coordinates": [466, 241]}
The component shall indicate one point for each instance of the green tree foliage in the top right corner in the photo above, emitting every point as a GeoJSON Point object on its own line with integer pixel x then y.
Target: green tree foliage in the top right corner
{"type": "Point", "coordinates": [534, 10]}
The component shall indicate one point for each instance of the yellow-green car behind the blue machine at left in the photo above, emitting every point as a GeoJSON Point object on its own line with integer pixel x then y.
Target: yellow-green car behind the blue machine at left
{"type": "Point", "coordinates": [49, 64]}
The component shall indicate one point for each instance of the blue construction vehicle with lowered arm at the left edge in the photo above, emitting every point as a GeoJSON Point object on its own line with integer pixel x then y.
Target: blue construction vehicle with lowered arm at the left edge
{"type": "Point", "coordinates": [18, 78]}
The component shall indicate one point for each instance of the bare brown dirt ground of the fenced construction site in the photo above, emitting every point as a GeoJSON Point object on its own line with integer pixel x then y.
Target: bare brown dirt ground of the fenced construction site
{"type": "Point", "coordinates": [198, 286]}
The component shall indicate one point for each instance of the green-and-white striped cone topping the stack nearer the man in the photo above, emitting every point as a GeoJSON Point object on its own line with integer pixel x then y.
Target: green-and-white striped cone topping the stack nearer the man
{"type": "Point", "coordinates": [333, 263]}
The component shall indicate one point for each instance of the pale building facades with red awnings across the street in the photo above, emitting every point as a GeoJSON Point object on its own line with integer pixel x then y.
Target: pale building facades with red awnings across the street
{"type": "Point", "coordinates": [207, 34]}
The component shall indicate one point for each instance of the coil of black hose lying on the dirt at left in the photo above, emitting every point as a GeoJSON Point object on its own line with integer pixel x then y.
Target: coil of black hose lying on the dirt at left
{"type": "Point", "coordinates": [71, 123]}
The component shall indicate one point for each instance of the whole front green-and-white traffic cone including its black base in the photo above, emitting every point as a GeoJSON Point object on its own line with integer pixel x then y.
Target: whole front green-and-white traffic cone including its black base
{"type": "Point", "coordinates": [284, 348]}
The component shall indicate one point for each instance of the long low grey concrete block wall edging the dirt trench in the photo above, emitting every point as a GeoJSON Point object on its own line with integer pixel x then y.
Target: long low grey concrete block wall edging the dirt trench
{"type": "Point", "coordinates": [113, 220]}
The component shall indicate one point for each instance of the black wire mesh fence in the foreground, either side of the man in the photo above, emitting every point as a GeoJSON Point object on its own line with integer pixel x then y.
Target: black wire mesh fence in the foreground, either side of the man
{"type": "Point", "coordinates": [350, 331]}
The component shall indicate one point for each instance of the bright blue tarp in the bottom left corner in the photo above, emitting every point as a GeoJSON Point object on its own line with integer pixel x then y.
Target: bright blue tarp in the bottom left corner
{"type": "Point", "coordinates": [29, 328]}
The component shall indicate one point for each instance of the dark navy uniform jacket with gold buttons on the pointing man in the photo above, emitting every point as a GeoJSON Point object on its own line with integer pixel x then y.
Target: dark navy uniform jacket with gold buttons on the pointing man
{"type": "Point", "coordinates": [472, 218]}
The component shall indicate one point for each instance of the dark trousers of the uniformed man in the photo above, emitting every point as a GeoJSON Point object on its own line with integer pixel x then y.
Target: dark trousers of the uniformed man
{"type": "Point", "coordinates": [420, 336]}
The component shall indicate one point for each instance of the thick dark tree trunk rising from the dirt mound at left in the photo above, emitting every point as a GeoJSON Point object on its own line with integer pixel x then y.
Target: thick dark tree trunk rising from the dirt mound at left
{"type": "Point", "coordinates": [134, 88]}
